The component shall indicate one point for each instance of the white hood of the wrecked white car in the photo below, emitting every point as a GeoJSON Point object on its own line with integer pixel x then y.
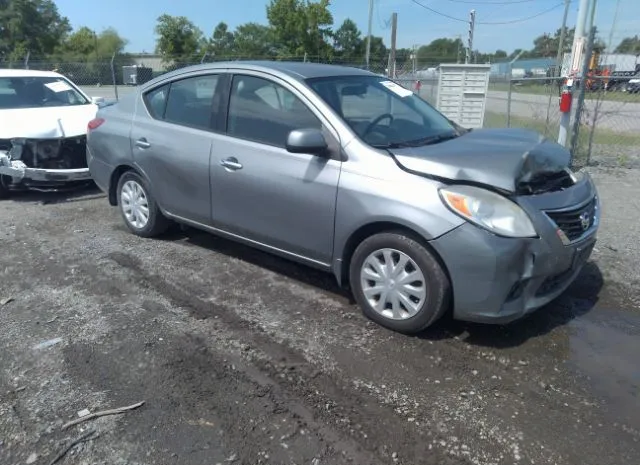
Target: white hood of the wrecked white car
{"type": "Point", "coordinates": [46, 123]}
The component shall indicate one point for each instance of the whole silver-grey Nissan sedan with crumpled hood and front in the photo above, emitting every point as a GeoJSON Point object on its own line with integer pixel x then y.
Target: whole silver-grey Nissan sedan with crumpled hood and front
{"type": "Point", "coordinates": [351, 173]}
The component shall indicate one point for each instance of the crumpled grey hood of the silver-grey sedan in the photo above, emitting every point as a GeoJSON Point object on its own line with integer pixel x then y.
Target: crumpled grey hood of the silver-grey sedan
{"type": "Point", "coordinates": [501, 158]}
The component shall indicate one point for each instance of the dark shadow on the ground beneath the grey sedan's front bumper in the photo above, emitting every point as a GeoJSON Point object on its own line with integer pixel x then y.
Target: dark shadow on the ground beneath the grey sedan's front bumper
{"type": "Point", "coordinates": [579, 299]}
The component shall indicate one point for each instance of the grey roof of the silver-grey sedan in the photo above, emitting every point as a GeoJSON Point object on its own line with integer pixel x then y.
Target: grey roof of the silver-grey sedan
{"type": "Point", "coordinates": [293, 69]}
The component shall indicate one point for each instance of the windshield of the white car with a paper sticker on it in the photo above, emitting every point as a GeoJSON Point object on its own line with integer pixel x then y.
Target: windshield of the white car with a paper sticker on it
{"type": "Point", "coordinates": [38, 92]}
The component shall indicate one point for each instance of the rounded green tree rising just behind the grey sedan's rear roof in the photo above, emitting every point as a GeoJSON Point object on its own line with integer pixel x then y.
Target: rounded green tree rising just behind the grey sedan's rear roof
{"type": "Point", "coordinates": [179, 40]}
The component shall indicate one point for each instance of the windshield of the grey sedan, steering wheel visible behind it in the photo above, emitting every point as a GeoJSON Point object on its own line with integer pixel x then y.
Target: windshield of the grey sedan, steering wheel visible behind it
{"type": "Point", "coordinates": [383, 113]}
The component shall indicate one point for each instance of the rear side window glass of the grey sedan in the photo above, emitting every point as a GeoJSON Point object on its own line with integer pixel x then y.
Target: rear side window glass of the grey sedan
{"type": "Point", "coordinates": [187, 102]}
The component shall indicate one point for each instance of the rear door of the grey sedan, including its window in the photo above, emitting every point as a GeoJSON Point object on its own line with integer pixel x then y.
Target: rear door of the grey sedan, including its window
{"type": "Point", "coordinates": [171, 141]}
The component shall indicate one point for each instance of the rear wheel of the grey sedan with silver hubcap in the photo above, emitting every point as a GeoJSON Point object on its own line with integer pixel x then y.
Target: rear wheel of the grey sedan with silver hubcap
{"type": "Point", "coordinates": [132, 185]}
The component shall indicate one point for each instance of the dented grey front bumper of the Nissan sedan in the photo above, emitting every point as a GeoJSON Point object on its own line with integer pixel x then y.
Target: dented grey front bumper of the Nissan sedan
{"type": "Point", "coordinates": [499, 280]}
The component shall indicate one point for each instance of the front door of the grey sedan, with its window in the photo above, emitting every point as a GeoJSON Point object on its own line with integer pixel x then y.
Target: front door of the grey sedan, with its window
{"type": "Point", "coordinates": [262, 192]}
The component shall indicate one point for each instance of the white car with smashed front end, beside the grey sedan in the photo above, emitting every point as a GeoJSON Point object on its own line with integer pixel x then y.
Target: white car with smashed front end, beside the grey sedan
{"type": "Point", "coordinates": [43, 127]}
